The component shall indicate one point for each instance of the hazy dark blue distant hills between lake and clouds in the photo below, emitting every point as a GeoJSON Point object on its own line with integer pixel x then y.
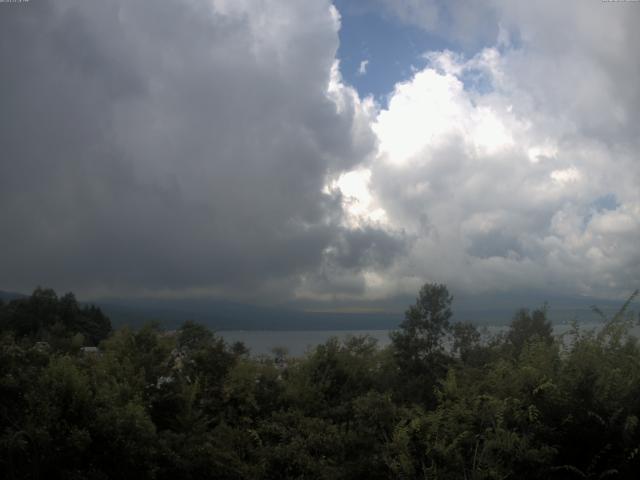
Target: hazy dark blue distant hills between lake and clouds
{"type": "Point", "coordinates": [226, 315]}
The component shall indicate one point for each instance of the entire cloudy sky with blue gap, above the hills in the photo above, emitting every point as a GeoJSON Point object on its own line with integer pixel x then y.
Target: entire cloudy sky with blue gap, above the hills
{"type": "Point", "coordinates": [319, 153]}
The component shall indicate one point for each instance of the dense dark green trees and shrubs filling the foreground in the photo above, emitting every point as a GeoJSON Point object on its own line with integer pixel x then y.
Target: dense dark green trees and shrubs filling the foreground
{"type": "Point", "coordinates": [441, 402]}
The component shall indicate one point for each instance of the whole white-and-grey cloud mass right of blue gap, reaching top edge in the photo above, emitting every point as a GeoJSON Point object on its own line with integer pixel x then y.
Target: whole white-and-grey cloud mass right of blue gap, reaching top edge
{"type": "Point", "coordinates": [496, 162]}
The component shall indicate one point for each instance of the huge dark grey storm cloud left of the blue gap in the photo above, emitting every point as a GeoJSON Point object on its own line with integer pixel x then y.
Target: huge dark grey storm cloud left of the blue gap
{"type": "Point", "coordinates": [175, 146]}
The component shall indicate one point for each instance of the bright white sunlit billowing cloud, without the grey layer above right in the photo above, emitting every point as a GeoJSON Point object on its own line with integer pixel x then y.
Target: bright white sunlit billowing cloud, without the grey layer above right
{"type": "Point", "coordinates": [498, 193]}
